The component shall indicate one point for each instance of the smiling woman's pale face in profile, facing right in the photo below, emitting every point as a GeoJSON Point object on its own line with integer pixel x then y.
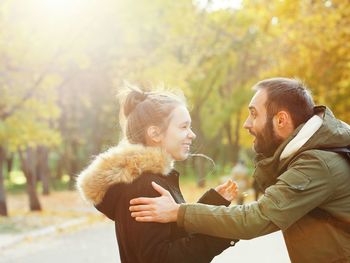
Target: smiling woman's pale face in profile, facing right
{"type": "Point", "coordinates": [177, 138]}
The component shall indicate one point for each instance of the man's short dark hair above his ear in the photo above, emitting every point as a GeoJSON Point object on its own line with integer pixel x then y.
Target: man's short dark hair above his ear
{"type": "Point", "coordinates": [290, 95]}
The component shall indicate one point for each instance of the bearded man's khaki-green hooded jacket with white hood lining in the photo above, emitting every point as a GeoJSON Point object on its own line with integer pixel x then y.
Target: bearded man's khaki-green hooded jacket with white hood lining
{"type": "Point", "coordinates": [297, 179]}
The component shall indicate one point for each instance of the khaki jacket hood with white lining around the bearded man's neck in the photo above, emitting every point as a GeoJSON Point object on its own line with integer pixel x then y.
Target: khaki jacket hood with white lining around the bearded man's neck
{"type": "Point", "coordinates": [321, 131]}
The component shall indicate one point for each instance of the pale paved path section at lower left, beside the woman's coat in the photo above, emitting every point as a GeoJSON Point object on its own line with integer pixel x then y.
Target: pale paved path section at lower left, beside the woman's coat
{"type": "Point", "coordinates": [90, 244]}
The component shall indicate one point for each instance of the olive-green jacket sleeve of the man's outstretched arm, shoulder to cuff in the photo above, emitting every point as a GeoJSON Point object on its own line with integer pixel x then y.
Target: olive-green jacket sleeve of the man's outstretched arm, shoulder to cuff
{"type": "Point", "coordinates": [304, 186]}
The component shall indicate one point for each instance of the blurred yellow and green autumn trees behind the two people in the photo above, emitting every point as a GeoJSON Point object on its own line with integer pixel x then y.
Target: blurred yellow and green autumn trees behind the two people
{"type": "Point", "coordinates": [62, 62]}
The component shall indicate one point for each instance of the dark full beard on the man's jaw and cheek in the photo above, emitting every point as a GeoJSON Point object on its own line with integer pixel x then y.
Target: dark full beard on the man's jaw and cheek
{"type": "Point", "coordinates": [267, 141]}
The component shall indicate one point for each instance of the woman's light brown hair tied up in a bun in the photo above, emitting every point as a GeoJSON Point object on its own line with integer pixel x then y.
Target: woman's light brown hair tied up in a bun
{"type": "Point", "coordinates": [142, 109]}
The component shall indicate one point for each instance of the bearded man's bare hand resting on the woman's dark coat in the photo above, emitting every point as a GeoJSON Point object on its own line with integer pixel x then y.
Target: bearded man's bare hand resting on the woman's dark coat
{"type": "Point", "coordinates": [161, 209]}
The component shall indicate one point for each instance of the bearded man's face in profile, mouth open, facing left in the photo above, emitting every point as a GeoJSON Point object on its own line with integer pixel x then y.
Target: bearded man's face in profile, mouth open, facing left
{"type": "Point", "coordinates": [260, 125]}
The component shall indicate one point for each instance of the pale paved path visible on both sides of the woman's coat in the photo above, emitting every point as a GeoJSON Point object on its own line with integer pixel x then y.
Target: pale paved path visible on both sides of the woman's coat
{"type": "Point", "coordinates": [96, 243]}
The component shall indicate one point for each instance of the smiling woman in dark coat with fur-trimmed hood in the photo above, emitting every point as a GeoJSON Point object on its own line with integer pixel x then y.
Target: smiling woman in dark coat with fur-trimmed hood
{"type": "Point", "coordinates": [158, 131]}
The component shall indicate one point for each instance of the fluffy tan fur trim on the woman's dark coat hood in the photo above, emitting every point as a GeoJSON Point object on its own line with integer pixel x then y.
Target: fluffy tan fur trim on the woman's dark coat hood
{"type": "Point", "coordinates": [120, 164]}
